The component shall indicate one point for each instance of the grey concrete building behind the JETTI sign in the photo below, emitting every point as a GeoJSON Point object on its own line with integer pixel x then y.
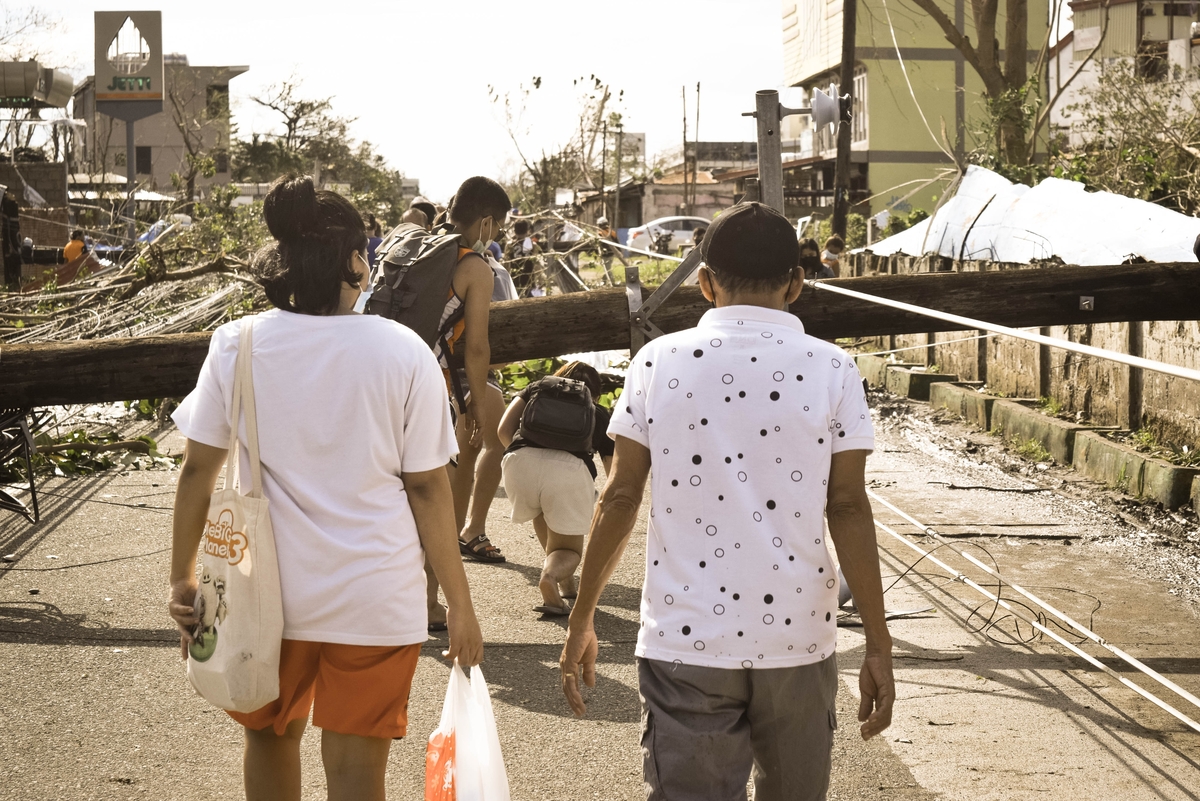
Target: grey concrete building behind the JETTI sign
{"type": "Point", "coordinates": [195, 121]}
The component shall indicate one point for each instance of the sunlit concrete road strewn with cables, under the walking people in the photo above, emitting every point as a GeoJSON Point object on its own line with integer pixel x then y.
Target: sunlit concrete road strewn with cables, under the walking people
{"type": "Point", "coordinates": [94, 701]}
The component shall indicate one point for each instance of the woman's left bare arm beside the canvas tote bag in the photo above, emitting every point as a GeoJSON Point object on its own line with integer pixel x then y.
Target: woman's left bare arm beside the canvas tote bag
{"type": "Point", "coordinates": [199, 475]}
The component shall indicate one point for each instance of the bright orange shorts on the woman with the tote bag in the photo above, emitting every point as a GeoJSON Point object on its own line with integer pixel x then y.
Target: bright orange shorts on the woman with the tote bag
{"type": "Point", "coordinates": [358, 689]}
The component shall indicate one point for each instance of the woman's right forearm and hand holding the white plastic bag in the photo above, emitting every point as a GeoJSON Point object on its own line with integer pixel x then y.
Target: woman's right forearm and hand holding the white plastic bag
{"type": "Point", "coordinates": [429, 495]}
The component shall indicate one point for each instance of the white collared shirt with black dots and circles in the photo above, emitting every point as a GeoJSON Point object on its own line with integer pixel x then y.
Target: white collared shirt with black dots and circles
{"type": "Point", "coordinates": [742, 417]}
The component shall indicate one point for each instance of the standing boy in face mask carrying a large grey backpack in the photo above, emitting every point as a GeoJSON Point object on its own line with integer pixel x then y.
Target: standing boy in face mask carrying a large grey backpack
{"type": "Point", "coordinates": [442, 286]}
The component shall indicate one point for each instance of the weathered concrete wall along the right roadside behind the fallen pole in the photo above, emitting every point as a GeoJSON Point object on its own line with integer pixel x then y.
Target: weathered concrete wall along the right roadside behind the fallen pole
{"type": "Point", "coordinates": [1102, 392]}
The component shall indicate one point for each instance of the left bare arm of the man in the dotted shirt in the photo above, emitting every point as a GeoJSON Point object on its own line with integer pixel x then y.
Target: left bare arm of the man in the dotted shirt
{"type": "Point", "coordinates": [611, 527]}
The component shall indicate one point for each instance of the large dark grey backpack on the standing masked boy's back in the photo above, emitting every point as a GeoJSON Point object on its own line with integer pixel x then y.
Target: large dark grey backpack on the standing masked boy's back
{"type": "Point", "coordinates": [412, 281]}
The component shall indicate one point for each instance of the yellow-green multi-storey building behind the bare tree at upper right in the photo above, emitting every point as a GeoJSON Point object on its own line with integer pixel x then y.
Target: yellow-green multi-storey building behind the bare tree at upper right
{"type": "Point", "coordinates": [919, 106]}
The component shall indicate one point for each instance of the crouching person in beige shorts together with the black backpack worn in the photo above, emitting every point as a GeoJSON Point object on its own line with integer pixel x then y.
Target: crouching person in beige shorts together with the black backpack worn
{"type": "Point", "coordinates": [553, 430]}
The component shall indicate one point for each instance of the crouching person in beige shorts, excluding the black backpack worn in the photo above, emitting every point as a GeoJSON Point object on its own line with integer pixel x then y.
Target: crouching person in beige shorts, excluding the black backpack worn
{"type": "Point", "coordinates": [555, 490]}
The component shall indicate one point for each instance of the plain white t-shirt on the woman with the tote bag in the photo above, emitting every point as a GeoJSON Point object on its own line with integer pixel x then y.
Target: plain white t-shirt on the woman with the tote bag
{"type": "Point", "coordinates": [345, 406]}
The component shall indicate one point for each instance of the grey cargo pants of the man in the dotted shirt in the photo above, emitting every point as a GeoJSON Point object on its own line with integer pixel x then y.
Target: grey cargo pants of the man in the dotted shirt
{"type": "Point", "coordinates": [704, 730]}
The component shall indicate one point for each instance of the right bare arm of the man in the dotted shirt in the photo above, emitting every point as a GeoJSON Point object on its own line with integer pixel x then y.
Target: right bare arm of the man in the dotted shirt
{"type": "Point", "coordinates": [853, 528]}
